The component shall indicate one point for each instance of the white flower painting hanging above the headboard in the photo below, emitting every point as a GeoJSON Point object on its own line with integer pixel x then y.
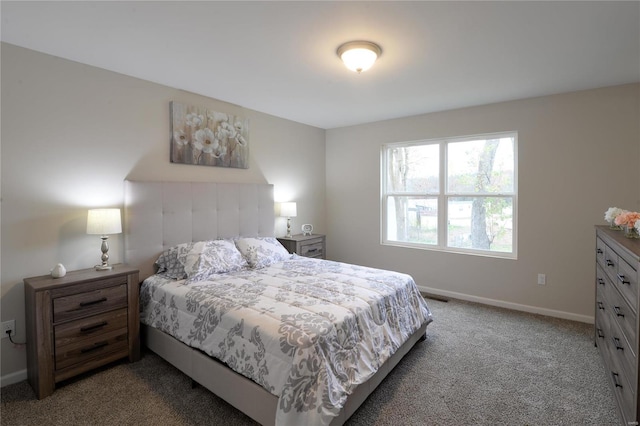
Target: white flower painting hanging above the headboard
{"type": "Point", "coordinates": [208, 138]}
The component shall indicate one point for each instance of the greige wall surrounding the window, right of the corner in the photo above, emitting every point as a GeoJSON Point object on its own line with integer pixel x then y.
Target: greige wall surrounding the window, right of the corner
{"type": "Point", "coordinates": [579, 153]}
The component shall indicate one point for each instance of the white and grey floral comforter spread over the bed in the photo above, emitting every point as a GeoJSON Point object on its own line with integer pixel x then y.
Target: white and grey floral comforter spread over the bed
{"type": "Point", "coordinates": [307, 330]}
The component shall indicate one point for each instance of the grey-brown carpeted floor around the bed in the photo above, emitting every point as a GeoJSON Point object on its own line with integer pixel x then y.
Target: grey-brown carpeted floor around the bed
{"type": "Point", "coordinates": [479, 366]}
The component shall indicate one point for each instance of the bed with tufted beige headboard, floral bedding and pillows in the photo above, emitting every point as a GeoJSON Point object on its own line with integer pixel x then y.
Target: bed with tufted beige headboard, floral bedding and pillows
{"type": "Point", "coordinates": [278, 376]}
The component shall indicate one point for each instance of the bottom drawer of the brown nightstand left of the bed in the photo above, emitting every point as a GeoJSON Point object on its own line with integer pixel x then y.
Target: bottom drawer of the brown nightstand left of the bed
{"type": "Point", "coordinates": [81, 351]}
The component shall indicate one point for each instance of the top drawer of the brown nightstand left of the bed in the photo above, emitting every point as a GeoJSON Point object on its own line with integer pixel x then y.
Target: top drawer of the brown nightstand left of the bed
{"type": "Point", "coordinates": [89, 303]}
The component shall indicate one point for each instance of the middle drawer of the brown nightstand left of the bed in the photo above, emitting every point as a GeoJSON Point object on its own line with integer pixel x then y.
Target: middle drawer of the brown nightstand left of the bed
{"type": "Point", "coordinates": [87, 328]}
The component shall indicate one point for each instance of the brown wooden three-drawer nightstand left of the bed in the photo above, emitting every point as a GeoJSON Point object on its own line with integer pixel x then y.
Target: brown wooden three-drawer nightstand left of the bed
{"type": "Point", "coordinates": [81, 321]}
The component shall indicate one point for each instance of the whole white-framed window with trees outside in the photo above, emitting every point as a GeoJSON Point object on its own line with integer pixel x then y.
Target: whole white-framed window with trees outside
{"type": "Point", "coordinates": [455, 195]}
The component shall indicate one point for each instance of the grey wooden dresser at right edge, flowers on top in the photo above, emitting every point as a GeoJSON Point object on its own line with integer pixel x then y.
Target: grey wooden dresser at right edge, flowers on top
{"type": "Point", "coordinates": [616, 316]}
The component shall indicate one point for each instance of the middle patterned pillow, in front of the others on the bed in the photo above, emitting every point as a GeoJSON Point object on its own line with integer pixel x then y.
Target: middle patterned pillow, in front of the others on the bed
{"type": "Point", "coordinates": [212, 257]}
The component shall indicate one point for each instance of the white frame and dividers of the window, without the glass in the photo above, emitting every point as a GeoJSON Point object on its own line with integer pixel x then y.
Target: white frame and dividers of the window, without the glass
{"type": "Point", "coordinates": [443, 196]}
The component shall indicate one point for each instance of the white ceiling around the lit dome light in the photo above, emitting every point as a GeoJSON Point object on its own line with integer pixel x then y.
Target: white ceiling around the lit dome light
{"type": "Point", "coordinates": [280, 57]}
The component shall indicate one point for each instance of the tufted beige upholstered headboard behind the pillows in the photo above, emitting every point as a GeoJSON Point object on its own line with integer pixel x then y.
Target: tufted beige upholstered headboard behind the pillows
{"type": "Point", "coordinates": [158, 215]}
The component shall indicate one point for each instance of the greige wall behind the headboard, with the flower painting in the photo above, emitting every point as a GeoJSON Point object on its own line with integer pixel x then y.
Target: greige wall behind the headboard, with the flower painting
{"type": "Point", "coordinates": [72, 133]}
